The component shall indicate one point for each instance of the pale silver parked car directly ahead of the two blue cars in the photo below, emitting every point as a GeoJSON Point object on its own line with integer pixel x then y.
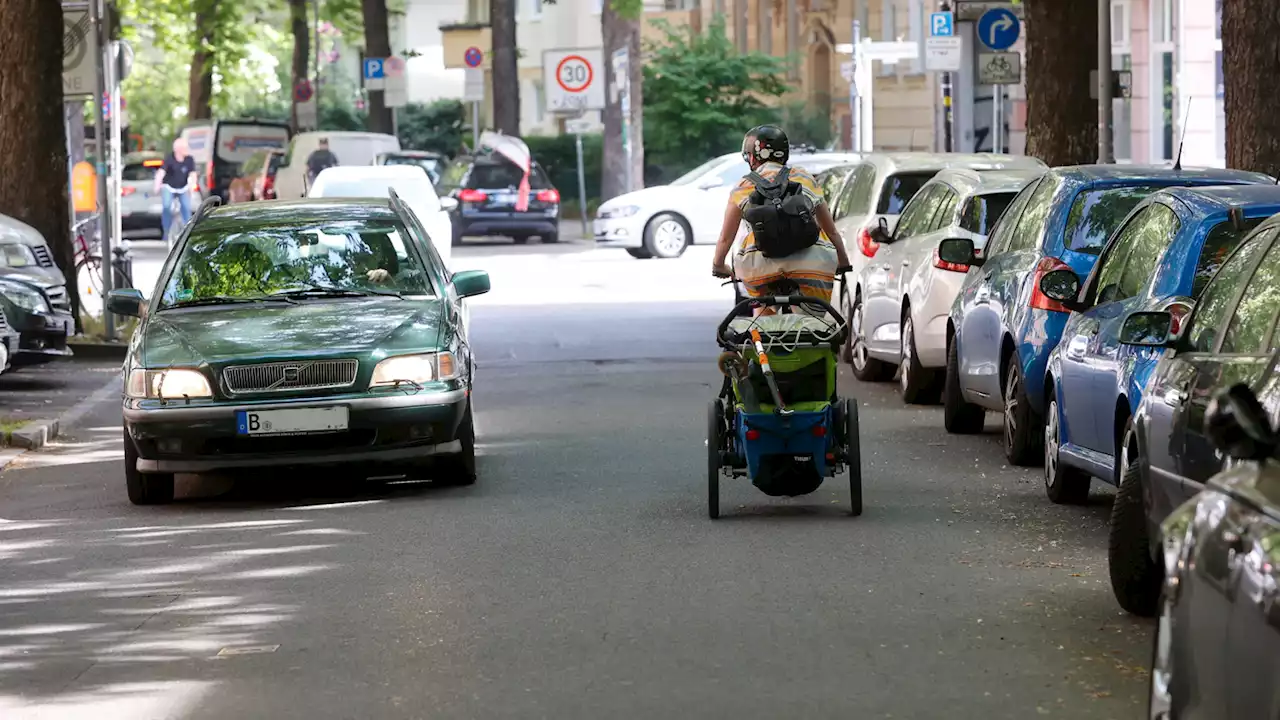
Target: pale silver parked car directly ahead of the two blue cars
{"type": "Point", "coordinates": [904, 293]}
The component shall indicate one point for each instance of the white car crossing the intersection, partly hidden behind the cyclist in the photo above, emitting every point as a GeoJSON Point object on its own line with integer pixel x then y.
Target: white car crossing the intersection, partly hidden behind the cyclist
{"type": "Point", "coordinates": [664, 221]}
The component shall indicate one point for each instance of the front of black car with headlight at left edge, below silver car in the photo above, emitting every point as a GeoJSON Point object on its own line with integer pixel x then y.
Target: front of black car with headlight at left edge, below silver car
{"type": "Point", "coordinates": [39, 312]}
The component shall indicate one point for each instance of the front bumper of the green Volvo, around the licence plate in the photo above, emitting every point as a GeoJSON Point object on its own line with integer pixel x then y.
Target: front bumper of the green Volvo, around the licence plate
{"type": "Point", "coordinates": [392, 429]}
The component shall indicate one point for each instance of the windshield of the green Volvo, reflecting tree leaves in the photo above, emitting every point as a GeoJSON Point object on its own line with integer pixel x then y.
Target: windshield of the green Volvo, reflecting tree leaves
{"type": "Point", "coordinates": [259, 262]}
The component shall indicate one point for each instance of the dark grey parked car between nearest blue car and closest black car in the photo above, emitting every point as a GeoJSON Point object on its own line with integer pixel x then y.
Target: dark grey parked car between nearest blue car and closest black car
{"type": "Point", "coordinates": [1228, 339]}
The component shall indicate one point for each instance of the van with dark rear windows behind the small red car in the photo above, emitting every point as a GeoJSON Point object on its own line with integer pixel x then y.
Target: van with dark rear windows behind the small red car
{"type": "Point", "coordinates": [221, 147]}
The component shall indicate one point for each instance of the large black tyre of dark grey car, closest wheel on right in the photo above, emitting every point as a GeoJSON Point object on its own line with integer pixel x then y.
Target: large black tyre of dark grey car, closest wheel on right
{"type": "Point", "coordinates": [1136, 576]}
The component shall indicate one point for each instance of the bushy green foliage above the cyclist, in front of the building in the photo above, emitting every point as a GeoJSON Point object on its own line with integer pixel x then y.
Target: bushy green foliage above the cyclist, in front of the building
{"type": "Point", "coordinates": [702, 94]}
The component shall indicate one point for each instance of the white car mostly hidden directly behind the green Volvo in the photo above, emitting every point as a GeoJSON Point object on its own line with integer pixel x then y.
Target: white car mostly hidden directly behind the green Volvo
{"type": "Point", "coordinates": [410, 183]}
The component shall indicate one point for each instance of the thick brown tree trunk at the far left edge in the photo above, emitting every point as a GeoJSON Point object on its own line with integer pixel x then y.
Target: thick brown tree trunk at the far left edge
{"type": "Point", "coordinates": [33, 138]}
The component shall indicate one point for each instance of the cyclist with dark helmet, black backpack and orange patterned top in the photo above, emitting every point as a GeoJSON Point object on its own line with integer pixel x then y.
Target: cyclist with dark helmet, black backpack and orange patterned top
{"type": "Point", "coordinates": [790, 247]}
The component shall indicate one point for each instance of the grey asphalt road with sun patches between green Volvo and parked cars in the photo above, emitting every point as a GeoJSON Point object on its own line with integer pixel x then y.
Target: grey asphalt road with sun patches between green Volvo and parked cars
{"type": "Point", "coordinates": [580, 577]}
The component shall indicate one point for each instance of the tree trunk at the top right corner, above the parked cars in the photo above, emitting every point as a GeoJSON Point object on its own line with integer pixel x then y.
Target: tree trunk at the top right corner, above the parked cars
{"type": "Point", "coordinates": [1251, 58]}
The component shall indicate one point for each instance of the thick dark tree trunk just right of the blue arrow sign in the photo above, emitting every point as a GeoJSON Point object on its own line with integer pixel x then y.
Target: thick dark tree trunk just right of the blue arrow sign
{"type": "Point", "coordinates": [1062, 52]}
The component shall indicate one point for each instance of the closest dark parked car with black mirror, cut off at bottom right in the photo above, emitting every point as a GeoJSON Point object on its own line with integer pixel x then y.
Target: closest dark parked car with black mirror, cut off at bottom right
{"type": "Point", "coordinates": [1218, 641]}
